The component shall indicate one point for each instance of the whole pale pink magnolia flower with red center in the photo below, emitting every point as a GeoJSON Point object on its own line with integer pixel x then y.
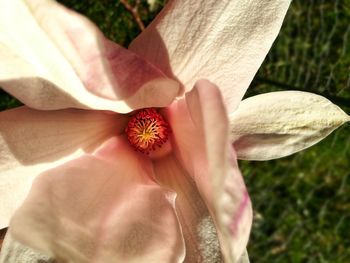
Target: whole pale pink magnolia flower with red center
{"type": "Point", "coordinates": [126, 155]}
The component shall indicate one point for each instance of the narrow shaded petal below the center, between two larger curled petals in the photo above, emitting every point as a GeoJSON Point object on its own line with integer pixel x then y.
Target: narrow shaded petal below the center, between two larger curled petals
{"type": "Point", "coordinates": [198, 229]}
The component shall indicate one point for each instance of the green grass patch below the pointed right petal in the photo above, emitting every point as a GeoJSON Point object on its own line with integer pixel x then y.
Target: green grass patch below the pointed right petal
{"type": "Point", "coordinates": [302, 204]}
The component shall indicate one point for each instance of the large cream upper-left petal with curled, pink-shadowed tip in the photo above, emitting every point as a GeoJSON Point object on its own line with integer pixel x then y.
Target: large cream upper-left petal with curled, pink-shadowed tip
{"type": "Point", "coordinates": [53, 58]}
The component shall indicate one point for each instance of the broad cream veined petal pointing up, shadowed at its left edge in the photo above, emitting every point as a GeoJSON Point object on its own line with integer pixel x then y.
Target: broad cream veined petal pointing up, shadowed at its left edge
{"type": "Point", "coordinates": [223, 41]}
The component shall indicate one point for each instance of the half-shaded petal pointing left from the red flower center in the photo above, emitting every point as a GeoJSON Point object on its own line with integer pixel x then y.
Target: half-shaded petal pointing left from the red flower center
{"type": "Point", "coordinates": [33, 141]}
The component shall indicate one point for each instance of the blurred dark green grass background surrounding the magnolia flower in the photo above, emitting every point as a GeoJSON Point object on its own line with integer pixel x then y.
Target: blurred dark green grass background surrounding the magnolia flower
{"type": "Point", "coordinates": [302, 202]}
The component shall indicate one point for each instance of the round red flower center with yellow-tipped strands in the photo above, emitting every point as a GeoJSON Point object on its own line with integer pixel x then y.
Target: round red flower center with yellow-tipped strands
{"type": "Point", "coordinates": [147, 130]}
